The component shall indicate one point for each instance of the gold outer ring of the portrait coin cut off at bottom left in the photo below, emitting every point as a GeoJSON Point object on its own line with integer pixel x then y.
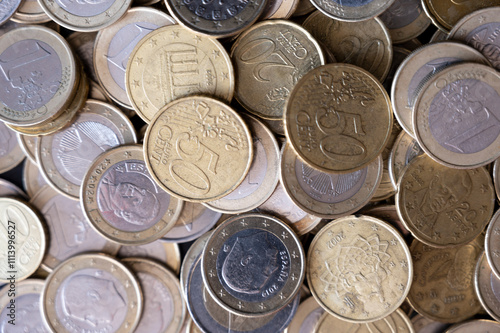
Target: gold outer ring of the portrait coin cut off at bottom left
{"type": "Point", "coordinates": [93, 261]}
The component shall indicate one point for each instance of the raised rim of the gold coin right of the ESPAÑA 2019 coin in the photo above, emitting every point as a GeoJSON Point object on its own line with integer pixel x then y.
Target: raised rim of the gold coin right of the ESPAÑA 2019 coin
{"type": "Point", "coordinates": [360, 219]}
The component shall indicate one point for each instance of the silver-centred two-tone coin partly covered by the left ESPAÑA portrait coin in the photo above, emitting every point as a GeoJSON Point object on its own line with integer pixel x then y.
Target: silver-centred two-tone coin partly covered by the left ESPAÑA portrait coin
{"type": "Point", "coordinates": [64, 157]}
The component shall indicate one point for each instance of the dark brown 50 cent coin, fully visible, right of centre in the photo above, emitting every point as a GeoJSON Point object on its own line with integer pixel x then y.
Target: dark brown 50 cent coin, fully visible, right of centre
{"type": "Point", "coordinates": [338, 118]}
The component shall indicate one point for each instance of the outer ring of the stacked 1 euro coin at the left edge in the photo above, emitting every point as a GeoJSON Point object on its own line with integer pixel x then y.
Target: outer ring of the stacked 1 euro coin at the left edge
{"type": "Point", "coordinates": [70, 75]}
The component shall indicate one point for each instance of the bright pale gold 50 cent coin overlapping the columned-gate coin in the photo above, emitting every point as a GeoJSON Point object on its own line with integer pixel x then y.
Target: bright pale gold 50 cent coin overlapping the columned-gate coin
{"type": "Point", "coordinates": [198, 149]}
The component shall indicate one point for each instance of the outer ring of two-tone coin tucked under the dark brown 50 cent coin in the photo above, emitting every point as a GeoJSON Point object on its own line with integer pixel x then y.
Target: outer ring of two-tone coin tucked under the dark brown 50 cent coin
{"type": "Point", "coordinates": [314, 207]}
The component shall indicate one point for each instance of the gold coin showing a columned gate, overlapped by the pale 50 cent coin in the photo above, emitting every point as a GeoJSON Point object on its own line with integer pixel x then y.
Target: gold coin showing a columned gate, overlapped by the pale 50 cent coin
{"type": "Point", "coordinates": [172, 62]}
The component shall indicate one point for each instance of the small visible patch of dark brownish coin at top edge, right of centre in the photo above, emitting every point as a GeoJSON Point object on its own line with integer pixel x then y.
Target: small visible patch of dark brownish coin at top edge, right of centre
{"type": "Point", "coordinates": [405, 20]}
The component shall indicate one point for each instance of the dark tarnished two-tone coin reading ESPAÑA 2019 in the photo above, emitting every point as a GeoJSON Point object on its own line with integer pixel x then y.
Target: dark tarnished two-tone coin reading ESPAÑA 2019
{"type": "Point", "coordinates": [253, 265]}
